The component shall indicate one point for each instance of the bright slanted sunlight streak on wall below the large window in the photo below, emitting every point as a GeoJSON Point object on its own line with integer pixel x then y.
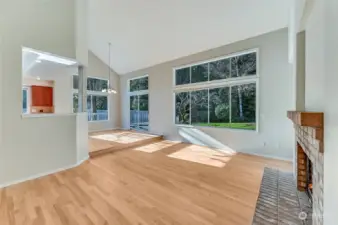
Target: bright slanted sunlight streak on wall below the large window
{"type": "Point", "coordinates": [198, 137]}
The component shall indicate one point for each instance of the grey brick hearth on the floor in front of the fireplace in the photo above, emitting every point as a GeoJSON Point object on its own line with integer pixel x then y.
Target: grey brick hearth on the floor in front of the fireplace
{"type": "Point", "coordinates": [279, 202]}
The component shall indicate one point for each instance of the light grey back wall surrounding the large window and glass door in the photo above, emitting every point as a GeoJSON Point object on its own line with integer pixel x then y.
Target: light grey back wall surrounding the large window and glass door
{"type": "Point", "coordinates": [276, 132]}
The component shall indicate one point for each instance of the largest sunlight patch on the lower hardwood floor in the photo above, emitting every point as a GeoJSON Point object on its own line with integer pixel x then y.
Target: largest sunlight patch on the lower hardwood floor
{"type": "Point", "coordinates": [203, 155]}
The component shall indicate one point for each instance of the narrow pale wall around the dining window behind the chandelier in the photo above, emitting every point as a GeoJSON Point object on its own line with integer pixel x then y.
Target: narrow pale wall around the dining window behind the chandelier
{"type": "Point", "coordinates": [100, 70]}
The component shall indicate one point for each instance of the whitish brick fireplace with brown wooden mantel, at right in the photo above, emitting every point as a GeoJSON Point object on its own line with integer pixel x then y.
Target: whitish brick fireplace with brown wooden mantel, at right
{"type": "Point", "coordinates": [310, 159]}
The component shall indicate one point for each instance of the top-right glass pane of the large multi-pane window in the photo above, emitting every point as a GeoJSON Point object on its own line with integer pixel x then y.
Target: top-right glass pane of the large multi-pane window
{"type": "Point", "coordinates": [244, 65]}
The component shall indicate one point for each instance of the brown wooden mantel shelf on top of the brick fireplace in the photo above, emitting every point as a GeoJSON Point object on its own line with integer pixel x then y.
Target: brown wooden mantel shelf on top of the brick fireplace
{"type": "Point", "coordinates": [307, 119]}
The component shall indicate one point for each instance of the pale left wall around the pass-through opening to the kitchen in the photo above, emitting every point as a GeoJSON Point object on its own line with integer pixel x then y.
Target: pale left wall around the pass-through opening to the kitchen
{"type": "Point", "coordinates": [32, 146]}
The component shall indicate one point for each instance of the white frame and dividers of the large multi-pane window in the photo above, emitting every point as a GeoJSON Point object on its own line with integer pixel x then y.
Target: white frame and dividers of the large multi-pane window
{"type": "Point", "coordinates": [207, 85]}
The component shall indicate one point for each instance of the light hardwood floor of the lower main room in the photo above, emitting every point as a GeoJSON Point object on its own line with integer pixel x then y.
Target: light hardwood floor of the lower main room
{"type": "Point", "coordinates": [160, 183]}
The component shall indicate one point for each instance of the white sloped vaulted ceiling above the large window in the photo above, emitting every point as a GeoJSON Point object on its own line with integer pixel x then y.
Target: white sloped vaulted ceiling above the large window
{"type": "Point", "coordinates": [147, 32]}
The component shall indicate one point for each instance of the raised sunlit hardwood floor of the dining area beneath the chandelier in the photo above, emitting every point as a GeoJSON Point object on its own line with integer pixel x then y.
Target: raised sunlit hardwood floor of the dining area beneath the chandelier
{"type": "Point", "coordinates": [106, 141]}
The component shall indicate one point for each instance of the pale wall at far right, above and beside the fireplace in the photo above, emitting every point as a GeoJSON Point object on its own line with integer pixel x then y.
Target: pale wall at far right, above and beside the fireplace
{"type": "Point", "coordinates": [321, 92]}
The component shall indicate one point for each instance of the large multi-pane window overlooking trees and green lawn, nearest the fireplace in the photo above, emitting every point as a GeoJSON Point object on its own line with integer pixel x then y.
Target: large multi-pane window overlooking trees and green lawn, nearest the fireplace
{"type": "Point", "coordinates": [226, 95]}
